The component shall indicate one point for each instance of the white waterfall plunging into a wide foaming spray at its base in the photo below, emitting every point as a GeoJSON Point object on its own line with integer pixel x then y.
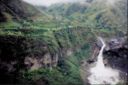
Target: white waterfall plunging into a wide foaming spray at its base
{"type": "Point", "coordinates": [101, 74]}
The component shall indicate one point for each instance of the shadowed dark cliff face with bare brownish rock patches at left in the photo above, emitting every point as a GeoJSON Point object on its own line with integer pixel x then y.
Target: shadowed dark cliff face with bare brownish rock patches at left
{"type": "Point", "coordinates": [19, 53]}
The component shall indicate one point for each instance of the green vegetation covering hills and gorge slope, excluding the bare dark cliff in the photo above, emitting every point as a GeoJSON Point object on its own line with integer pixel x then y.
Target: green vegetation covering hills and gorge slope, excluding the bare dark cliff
{"type": "Point", "coordinates": [63, 27]}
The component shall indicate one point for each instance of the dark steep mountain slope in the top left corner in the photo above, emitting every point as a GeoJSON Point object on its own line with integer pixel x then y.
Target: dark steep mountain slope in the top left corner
{"type": "Point", "coordinates": [16, 9]}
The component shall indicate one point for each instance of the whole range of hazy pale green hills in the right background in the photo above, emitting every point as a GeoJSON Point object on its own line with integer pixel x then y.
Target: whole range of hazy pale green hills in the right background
{"type": "Point", "coordinates": [92, 13]}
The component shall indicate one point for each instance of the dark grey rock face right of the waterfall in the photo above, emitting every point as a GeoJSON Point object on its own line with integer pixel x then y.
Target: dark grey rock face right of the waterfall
{"type": "Point", "coordinates": [117, 57]}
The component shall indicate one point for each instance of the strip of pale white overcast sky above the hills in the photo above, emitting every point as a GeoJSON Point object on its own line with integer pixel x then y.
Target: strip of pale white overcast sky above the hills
{"type": "Point", "coordinates": [48, 2]}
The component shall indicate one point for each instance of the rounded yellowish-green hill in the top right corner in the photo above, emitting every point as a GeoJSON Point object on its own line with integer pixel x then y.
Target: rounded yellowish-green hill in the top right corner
{"type": "Point", "coordinates": [105, 15]}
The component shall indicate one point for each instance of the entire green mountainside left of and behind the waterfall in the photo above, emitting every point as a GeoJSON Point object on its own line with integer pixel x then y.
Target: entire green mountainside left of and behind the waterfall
{"type": "Point", "coordinates": [54, 40]}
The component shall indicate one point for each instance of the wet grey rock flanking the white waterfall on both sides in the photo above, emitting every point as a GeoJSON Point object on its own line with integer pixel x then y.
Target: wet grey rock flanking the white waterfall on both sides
{"type": "Point", "coordinates": [115, 56]}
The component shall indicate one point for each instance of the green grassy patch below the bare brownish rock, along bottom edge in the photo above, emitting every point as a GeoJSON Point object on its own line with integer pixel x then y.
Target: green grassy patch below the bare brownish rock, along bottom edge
{"type": "Point", "coordinates": [54, 77]}
